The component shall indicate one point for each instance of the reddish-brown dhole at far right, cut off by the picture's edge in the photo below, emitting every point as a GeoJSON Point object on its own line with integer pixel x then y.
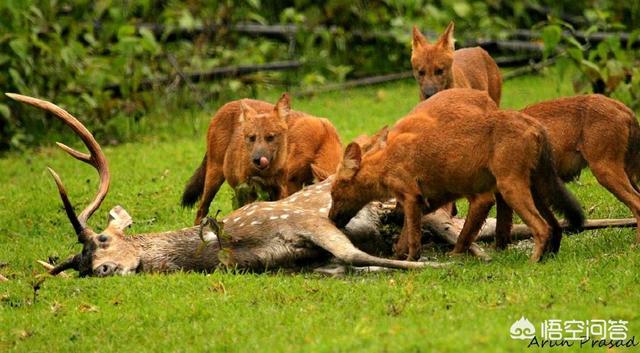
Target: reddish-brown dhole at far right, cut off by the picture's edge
{"type": "Point", "coordinates": [599, 132]}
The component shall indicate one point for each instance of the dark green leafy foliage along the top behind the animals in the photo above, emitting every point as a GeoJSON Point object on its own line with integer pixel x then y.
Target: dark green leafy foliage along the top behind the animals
{"type": "Point", "coordinates": [106, 60]}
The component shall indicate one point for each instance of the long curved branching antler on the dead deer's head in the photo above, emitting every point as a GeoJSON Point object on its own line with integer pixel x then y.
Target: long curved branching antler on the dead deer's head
{"type": "Point", "coordinates": [96, 158]}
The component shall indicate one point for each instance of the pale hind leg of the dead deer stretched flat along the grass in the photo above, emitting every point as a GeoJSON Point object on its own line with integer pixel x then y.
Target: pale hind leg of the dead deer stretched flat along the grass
{"type": "Point", "coordinates": [332, 240]}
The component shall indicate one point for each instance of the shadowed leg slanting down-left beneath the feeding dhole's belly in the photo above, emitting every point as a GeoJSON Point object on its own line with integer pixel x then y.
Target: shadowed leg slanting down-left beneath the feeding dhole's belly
{"type": "Point", "coordinates": [479, 207]}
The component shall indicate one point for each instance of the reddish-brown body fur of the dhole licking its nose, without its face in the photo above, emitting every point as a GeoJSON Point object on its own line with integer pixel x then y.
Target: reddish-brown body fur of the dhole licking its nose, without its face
{"type": "Point", "coordinates": [313, 150]}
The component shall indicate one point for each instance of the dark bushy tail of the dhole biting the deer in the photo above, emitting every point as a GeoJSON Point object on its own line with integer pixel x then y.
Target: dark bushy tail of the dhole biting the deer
{"type": "Point", "coordinates": [546, 181]}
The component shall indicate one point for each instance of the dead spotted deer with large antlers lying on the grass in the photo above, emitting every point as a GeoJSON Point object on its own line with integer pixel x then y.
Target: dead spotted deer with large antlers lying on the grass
{"type": "Point", "coordinates": [263, 235]}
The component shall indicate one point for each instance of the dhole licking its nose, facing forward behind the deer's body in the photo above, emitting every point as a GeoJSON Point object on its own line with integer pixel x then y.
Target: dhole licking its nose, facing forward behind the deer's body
{"type": "Point", "coordinates": [258, 143]}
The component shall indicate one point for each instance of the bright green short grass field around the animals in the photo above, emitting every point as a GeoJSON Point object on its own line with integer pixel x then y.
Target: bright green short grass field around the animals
{"type": "Point", "coordinates": [466, 308]}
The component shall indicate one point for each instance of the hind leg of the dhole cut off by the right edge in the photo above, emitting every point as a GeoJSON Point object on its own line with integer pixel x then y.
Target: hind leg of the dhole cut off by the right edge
{"type": "Point", "coordinates": [612, 176]}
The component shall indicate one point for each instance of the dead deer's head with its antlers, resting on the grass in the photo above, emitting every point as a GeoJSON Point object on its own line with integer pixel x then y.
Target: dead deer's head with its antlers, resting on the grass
{"type": "Point", "coordinates": [103, 253]}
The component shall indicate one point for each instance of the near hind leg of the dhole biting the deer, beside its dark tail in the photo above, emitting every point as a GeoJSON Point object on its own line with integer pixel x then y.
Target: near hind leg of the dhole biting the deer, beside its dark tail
{"type": "Point", "coordinates": [518, 195]}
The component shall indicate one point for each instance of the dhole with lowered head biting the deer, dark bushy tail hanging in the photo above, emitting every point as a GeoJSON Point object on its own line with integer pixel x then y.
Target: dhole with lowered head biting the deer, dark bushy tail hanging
{"type": "Point", "coordinates": [454, 145]}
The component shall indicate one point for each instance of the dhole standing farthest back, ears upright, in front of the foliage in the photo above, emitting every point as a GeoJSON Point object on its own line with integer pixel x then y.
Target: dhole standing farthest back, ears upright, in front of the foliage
{"type": "Point", "coordinates": [439, 66]}
